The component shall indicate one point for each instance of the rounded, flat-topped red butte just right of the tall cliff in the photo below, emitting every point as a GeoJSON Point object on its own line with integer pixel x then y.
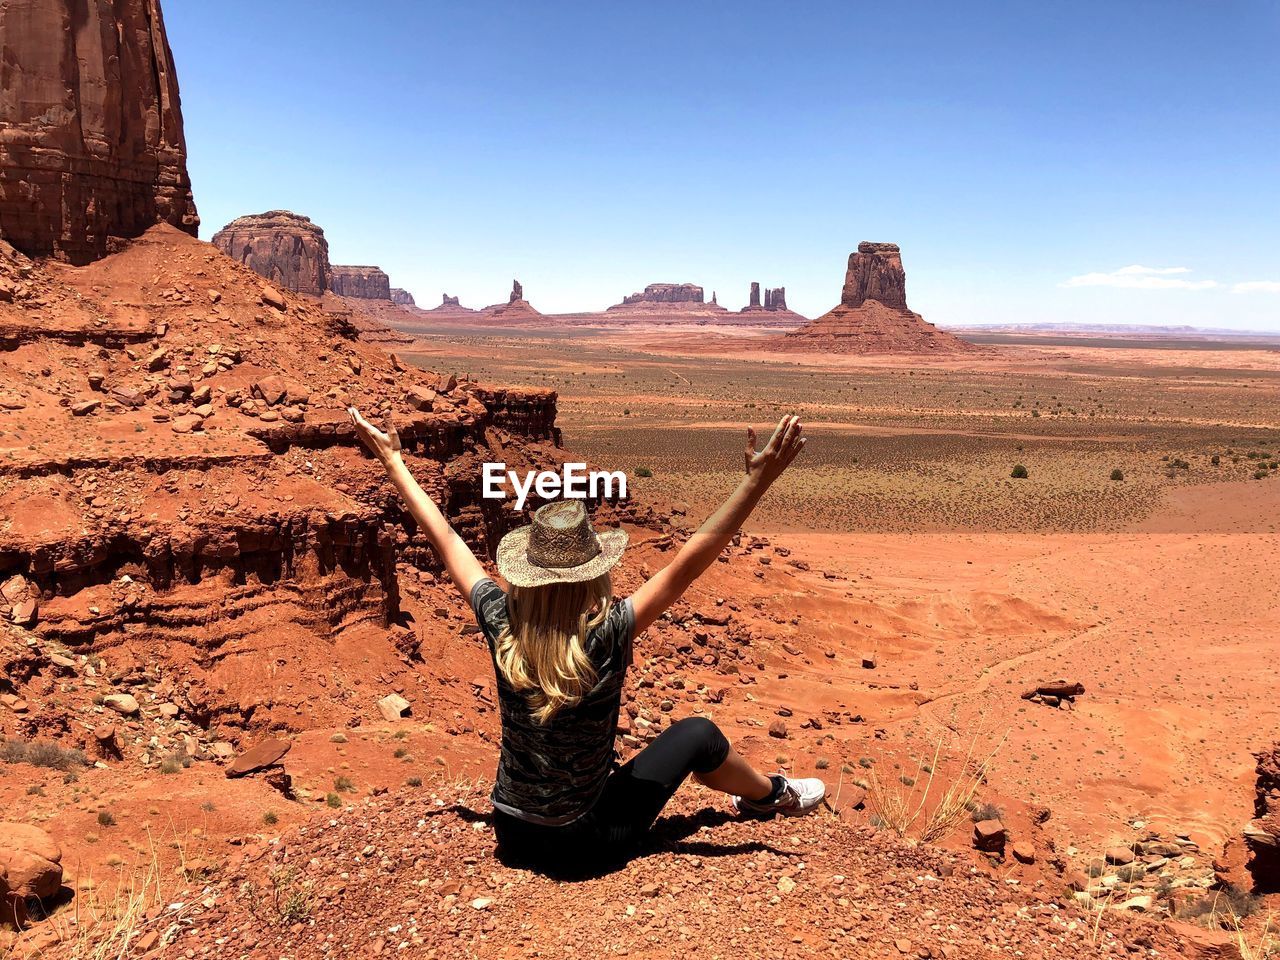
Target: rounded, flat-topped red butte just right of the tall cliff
{"type": "Point", "coordinates": [285, 248]}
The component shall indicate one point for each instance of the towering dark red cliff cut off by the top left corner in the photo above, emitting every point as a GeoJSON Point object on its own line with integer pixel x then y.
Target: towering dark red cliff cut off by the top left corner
{"type": "Point", "coordinates": [92, 139]}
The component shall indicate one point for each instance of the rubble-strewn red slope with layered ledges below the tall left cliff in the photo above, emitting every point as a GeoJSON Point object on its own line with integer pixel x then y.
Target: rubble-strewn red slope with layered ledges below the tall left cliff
{"type": "Point", "coordinates": [214, 529]}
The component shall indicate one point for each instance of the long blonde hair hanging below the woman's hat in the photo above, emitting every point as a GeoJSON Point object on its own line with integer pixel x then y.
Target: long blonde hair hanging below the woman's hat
{"type": "Point", "coordinates": [543, 648]}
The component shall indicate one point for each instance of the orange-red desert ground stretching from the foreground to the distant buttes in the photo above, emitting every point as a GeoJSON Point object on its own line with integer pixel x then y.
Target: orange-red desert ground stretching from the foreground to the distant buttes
{"type": "Point", "coordinates": [879, 624]}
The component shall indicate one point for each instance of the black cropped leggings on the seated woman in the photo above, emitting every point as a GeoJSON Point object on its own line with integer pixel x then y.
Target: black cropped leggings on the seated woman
{"type": "Point", "coordinates": [634, 796]}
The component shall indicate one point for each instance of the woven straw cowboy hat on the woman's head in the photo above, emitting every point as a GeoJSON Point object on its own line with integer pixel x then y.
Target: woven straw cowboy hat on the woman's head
{"type": "Point", "coordinates": [560, 547]}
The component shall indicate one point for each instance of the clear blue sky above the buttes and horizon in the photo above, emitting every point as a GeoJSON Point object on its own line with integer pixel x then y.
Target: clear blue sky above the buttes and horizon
{"type": "Point", "coordinates": [1027, 157]}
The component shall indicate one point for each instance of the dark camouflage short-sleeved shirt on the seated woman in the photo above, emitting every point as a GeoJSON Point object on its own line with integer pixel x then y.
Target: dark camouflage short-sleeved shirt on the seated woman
{"type": "Point", "coordinates": [555, 774]}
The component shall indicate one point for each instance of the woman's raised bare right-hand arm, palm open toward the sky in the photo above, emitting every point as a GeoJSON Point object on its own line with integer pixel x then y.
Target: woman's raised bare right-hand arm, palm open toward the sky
{"type": "Point", "coordinates": [702, 550]}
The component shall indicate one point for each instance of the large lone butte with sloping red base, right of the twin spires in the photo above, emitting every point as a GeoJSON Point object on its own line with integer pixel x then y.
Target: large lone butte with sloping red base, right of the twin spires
{"type": "Point", "coordinates": [872, 316]}
